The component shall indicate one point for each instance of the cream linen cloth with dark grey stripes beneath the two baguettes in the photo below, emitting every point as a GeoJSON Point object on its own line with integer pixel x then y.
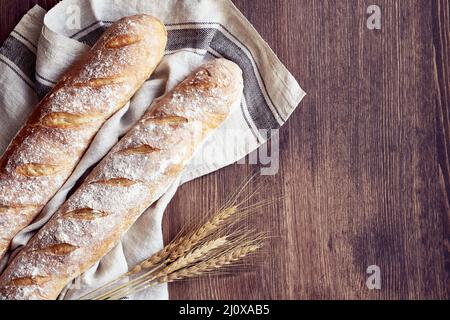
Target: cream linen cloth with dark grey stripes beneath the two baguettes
{"type": "Point", "coordinates": [44, 44]}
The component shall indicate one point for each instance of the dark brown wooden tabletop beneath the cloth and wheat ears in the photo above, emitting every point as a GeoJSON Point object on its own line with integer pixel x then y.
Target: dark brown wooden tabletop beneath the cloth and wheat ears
{"type": "Point", "coordinates": [364, 164]}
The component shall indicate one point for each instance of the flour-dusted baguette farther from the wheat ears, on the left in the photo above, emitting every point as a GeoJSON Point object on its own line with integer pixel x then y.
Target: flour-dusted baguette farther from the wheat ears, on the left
{"type": "Point", "coordinates": [46, 150]}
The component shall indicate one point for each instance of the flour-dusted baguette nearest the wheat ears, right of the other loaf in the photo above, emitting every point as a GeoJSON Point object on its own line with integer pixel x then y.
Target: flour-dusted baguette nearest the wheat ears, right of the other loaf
{"type": "Point", "coordinates": [136, 172]}
